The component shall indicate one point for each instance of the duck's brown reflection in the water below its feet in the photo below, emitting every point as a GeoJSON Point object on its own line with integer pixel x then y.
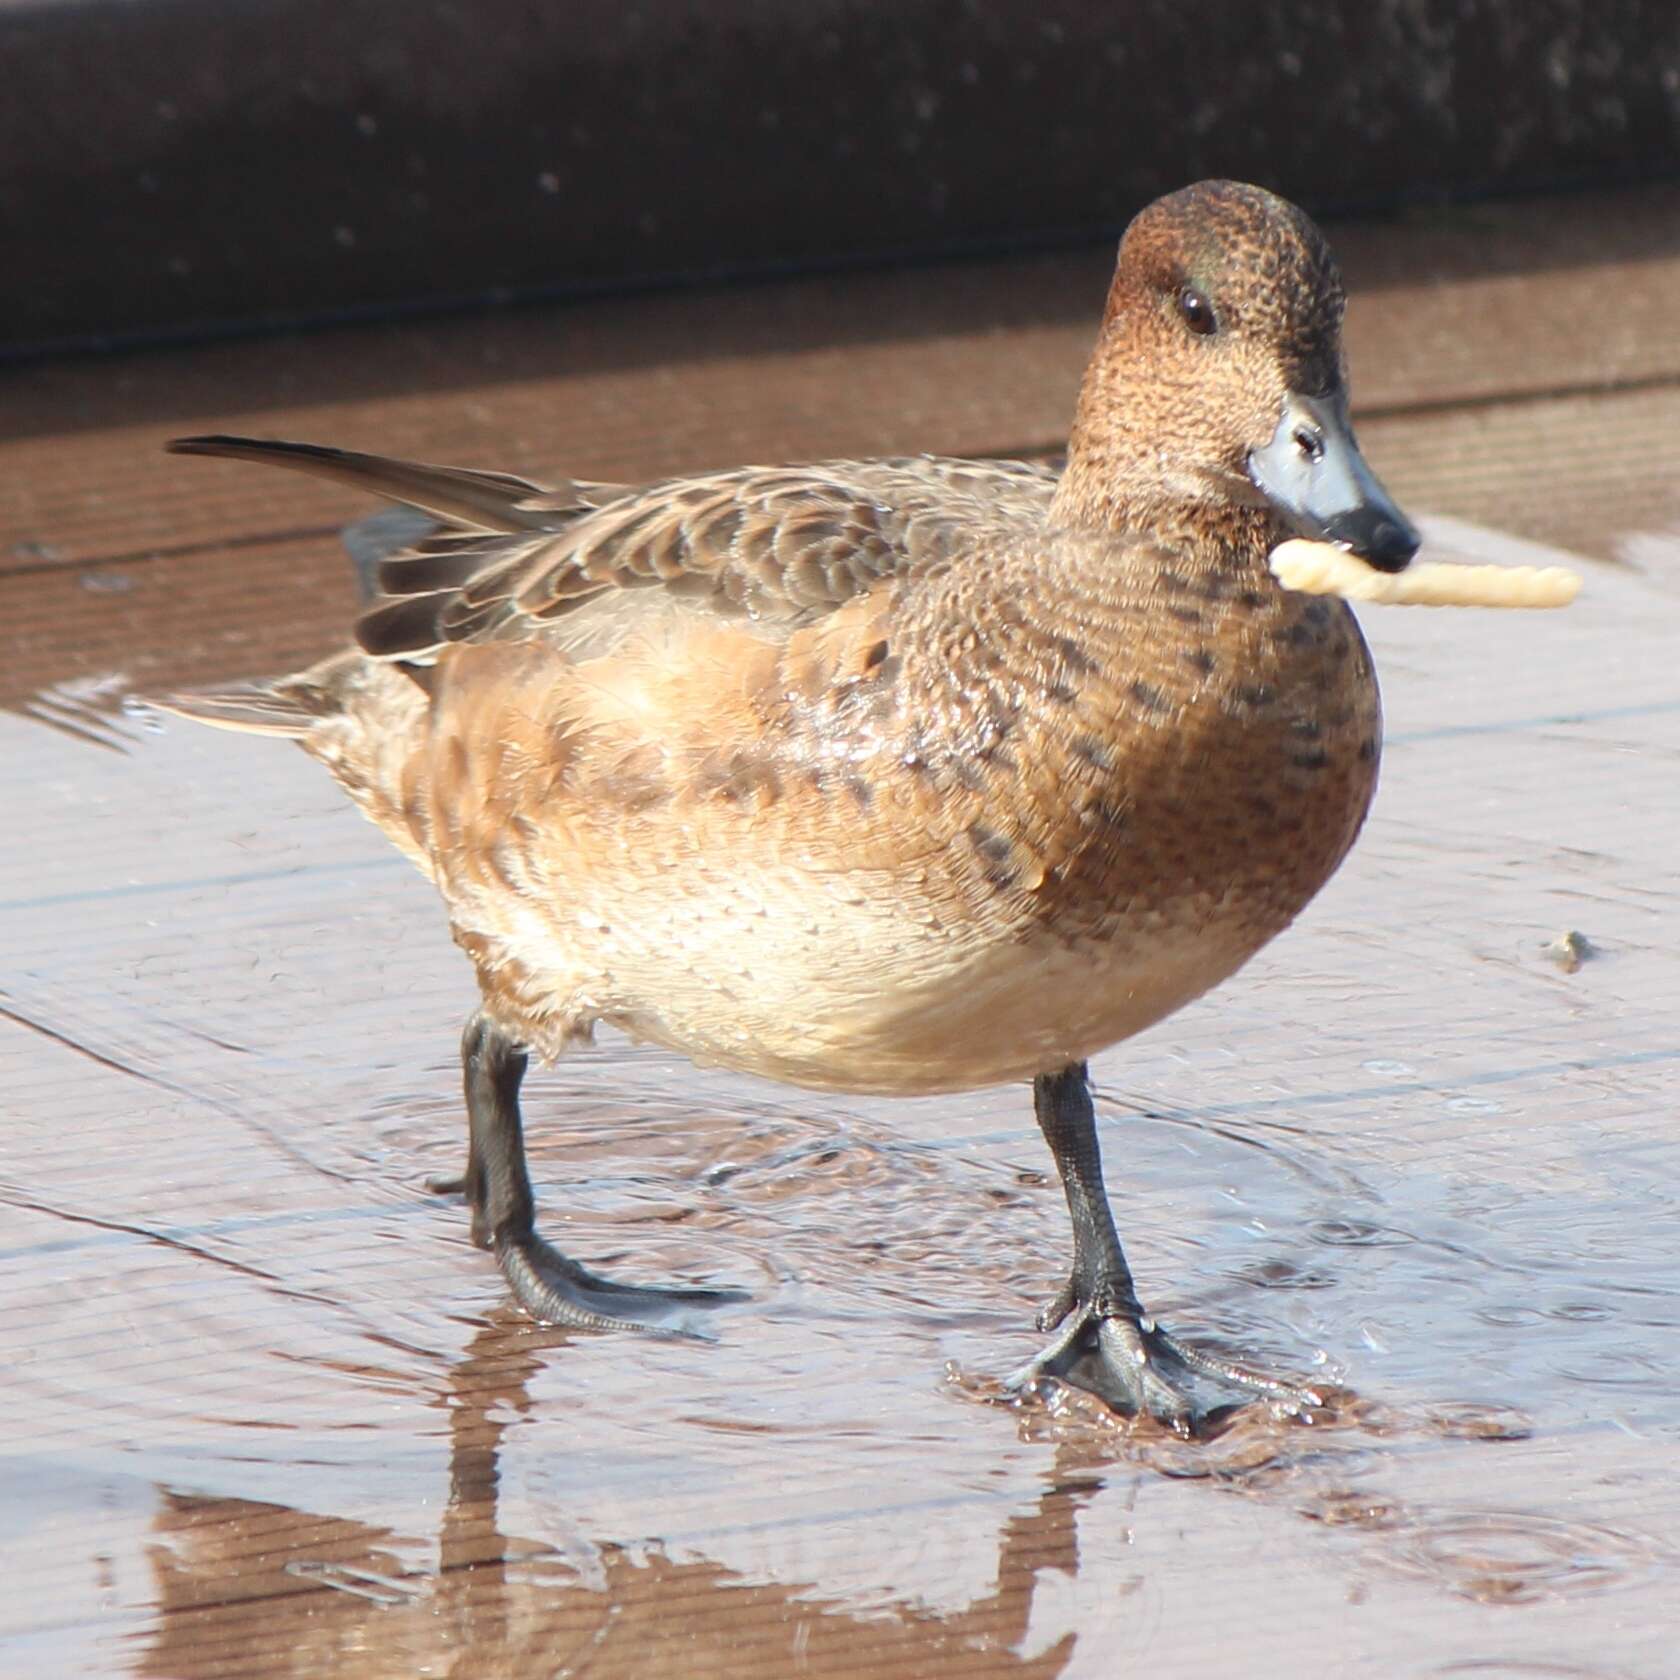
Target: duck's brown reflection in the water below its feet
{"type": "Point", "coordinates": [260, 1588]}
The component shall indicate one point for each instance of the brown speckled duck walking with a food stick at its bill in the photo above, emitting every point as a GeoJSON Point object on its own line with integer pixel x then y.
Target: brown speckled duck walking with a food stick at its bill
{"type": "Point", "coordinates": [886, 777]}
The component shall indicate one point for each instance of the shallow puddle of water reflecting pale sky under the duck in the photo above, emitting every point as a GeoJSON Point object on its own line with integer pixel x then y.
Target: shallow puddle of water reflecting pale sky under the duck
{"type": "Point", "coordinates": [270, 1412]}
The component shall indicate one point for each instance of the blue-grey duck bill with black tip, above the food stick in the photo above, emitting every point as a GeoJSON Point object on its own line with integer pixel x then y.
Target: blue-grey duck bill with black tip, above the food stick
{"type": "Point", "coordinates": [1316, 478]}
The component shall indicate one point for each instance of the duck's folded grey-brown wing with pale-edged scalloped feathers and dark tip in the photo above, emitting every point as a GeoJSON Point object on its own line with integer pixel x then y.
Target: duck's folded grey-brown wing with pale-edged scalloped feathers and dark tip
{"type": "Point", "coordinates": [582, 565]}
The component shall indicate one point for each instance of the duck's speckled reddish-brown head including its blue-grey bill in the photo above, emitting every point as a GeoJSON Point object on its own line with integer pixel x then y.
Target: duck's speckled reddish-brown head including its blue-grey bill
{"type": "Point", "coordinates": [1219, 379]}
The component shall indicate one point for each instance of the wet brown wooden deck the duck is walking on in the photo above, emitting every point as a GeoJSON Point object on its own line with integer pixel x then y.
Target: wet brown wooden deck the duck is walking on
{"type": "Point", "coordinates": [266, 1414]}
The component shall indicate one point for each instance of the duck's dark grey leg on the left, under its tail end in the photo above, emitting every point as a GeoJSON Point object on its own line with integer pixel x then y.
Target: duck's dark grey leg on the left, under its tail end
{"type": "Point", "coordinates": [498, 1189]}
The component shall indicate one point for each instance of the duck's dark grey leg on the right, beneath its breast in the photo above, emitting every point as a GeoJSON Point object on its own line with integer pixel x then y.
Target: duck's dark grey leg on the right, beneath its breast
{"type": "Point", "coordinates": [1108, 1343]}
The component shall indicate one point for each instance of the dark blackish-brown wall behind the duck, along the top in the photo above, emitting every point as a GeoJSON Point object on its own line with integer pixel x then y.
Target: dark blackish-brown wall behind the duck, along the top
{"type": "Point", "coordinates": [189, 165]}
